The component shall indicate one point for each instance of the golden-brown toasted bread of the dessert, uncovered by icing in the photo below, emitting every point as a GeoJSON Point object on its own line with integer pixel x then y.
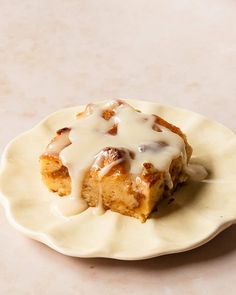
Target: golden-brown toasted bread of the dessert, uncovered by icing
{"type": "Point", "coordinates": [132, 195]}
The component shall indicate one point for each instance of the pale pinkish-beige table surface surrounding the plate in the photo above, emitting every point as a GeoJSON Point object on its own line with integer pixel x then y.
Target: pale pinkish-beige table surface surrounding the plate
{"type": "Point", "coordinates": [55, 54]}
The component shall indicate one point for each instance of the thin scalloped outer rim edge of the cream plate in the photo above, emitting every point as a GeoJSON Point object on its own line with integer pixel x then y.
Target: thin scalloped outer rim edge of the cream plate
{"type": "Point", "coordinates": [45, 238]}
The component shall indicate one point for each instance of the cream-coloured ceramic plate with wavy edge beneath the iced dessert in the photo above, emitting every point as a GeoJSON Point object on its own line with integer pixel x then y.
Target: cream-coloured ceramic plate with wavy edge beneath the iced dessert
{"type": "Point", "coordinates": [199, 212]}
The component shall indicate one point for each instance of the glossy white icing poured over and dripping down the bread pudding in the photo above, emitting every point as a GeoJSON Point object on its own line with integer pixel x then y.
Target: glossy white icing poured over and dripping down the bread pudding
{"type": "Point", "coordinates": [90, 134]}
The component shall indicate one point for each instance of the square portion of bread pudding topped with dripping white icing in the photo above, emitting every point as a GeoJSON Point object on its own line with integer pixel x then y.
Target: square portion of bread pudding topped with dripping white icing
{"type": "Point", "coordinates": [115, 157]}
